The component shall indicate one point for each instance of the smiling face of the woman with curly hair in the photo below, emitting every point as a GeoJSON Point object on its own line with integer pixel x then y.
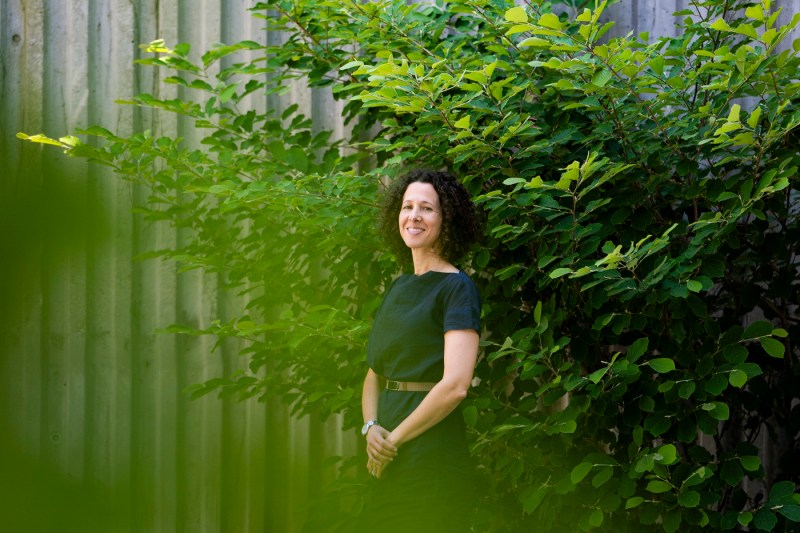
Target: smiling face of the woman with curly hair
{"type": "Point", "coordinates": [420, 216]}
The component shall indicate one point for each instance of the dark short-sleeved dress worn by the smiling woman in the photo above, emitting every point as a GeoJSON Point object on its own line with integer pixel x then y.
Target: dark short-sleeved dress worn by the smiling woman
{"type": "Point", "coordinates": [430, 484]}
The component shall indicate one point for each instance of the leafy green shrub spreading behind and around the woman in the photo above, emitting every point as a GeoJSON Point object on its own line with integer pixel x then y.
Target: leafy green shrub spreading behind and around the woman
{"type": "Point", "coordinates": [640, 195]}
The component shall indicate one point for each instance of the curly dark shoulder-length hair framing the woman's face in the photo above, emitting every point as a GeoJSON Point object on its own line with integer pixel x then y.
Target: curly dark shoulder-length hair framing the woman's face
{"type": "Point", "coordinates": [460, 223]}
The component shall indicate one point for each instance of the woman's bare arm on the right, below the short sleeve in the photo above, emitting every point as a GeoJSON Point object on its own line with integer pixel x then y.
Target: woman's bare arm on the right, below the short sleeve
{"type": "Point", "coordinates": [460, 356]}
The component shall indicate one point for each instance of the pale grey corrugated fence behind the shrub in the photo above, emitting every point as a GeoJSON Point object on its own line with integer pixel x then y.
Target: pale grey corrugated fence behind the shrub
{"type": "Point", "coordinates": [96, 433]}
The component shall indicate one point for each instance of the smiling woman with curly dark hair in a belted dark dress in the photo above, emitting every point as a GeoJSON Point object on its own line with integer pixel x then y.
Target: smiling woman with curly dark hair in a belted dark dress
{"type": "Point", "coordinates": [421, 356]}
